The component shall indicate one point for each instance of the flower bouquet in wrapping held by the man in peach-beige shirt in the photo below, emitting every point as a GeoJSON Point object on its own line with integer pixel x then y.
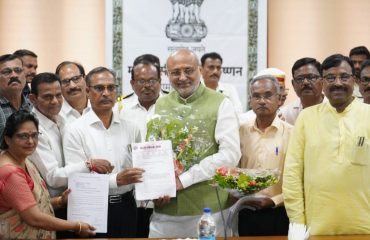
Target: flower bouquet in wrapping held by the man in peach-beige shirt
{"type": "Point", "coordinates": [240, 182]}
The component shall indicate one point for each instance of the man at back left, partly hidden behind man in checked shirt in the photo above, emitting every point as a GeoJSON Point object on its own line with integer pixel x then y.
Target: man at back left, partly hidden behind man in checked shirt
{"type": "Point", "coordinates": [29, 60]}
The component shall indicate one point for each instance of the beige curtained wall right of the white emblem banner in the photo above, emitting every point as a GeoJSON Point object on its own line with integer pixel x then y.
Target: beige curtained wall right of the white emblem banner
{"type": "Point", "coordinates": [314, 28]}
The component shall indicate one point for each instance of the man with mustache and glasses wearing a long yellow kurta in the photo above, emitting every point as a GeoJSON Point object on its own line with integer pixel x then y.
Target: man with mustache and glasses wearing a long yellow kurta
{"type": "Point", "coordinates": [326, 175]}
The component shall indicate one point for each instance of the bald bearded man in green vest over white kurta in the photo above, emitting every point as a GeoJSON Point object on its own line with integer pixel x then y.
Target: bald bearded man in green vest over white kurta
{"type": "Point", "coordinates": [218, 127]}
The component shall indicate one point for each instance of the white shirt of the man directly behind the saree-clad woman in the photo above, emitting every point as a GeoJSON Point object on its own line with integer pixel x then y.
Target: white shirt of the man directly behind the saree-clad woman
{"type": "Point", "coordinates": [48, 156]}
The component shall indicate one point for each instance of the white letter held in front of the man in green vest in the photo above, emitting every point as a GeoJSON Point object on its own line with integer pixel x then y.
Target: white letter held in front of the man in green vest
{"type": "Point", "coordinates": [156, 158]}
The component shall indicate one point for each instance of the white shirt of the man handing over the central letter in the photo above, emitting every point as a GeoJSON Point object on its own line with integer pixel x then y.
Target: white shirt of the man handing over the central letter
{"type": "Point", "coordinates": [87, 138]}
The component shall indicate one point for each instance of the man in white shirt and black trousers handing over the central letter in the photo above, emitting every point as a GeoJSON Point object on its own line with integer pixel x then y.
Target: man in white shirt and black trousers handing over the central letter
{"type": "Point", "coordinates": [102, 134]}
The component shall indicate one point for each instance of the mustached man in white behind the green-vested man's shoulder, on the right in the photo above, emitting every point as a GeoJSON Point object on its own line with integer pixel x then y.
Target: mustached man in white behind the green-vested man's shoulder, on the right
{"type": "Point", "coordinates": [211, 71]}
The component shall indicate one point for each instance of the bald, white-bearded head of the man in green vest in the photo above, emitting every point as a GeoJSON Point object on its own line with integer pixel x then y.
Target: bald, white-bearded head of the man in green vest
{"type": "Point", "coordinates": [183, 72]}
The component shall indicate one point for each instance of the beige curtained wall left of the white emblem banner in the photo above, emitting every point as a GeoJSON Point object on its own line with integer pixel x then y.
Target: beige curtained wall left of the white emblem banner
{"type": "Point", "coordinates": [56, 30]}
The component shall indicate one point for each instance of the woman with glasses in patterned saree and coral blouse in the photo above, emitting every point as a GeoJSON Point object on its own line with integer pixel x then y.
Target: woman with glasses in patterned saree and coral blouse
{"type": "Point", "coordinates": [25, 203]}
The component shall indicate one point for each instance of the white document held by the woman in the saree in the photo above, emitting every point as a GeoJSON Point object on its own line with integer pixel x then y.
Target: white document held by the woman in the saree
{"type": "Point", "coordinates": [88, 200]}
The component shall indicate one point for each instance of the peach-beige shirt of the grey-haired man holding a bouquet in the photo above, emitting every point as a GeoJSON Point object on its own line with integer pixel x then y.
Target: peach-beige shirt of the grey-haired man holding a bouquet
{"type": "Point", "coordinates": [265, 150]}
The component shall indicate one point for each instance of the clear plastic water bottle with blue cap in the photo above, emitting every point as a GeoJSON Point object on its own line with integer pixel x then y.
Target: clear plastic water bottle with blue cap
{"type": "Point", "coordinates": [206, 226]}
